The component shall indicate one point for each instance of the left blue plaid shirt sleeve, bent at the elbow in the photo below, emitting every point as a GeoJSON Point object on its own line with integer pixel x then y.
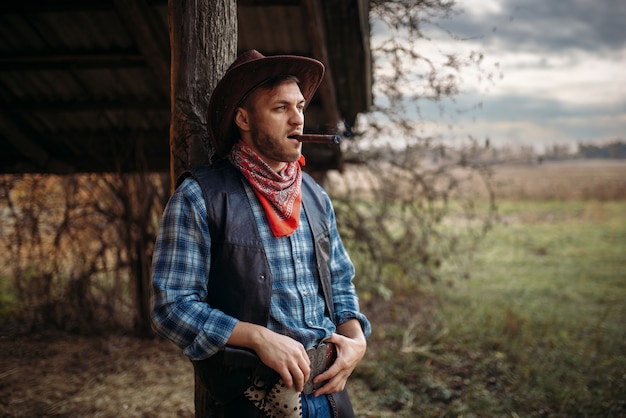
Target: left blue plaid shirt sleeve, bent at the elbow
{"type": "Point", "coordinates": [180, 273]}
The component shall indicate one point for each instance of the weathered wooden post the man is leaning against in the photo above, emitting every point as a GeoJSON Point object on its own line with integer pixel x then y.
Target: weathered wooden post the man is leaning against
{"type": "Point", "coordinates": [203, 43]}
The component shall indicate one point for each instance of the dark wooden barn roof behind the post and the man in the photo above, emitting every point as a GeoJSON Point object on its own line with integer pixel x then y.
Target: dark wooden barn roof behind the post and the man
{"type": "Point", "coordinates": [84, 84]}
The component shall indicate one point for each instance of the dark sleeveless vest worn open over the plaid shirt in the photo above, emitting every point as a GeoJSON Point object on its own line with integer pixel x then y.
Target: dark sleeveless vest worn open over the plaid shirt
{"type": "Point", "coordinates": [240, 280]}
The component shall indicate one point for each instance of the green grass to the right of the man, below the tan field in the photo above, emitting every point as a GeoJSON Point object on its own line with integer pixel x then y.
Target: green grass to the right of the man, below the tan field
{"type": "Point", "coordinates": [537, 329]}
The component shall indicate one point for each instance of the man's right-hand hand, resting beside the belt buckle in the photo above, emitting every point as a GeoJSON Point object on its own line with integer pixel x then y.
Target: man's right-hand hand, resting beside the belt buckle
{"type": "Point", "coordinates": [351, 346]}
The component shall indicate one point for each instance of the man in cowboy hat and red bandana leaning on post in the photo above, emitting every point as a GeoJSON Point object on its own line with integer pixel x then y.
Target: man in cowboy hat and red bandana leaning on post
{"type": "Point", "coordinates": [250, 276]}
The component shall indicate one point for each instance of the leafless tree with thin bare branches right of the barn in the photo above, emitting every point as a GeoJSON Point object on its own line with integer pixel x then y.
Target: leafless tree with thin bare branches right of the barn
{"type": "Point", "coordinates": [409, 201]}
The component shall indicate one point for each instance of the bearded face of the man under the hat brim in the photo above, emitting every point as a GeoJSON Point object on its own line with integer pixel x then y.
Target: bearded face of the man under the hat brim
{"type": "Point", "coordinates": [274, 115]}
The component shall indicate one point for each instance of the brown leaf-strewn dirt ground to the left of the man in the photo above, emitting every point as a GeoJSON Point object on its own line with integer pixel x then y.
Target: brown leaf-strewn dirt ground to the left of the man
{"type": "Point", "coordinates": [58, 375]}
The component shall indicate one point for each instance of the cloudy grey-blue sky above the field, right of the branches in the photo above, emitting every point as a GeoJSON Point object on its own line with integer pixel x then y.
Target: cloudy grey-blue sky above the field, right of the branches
{"type": "Point", "coordinates": [559, 71]}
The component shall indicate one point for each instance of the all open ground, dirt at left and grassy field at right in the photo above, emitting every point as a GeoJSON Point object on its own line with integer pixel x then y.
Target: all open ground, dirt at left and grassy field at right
{"type": "Point", "coordinates": [537, 330]}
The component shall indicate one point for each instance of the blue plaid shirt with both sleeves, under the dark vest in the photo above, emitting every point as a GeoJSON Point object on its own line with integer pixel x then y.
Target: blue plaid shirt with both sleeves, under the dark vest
{"type": "Point", "coordinates": [181, 264]}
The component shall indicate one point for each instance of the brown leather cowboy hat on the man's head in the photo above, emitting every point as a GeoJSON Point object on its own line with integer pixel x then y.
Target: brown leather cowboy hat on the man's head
{"type": "Point", "coordinates": [247, 72]}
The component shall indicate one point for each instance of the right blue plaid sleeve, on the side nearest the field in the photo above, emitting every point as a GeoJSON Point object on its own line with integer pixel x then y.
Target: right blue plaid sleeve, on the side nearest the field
{"type": "Point", "coordinates": [345, 299]}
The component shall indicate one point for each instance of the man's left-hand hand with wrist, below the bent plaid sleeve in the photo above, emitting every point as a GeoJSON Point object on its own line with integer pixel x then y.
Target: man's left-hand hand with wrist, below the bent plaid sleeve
{"type": "Point", "coordinates": [281, 353]}
